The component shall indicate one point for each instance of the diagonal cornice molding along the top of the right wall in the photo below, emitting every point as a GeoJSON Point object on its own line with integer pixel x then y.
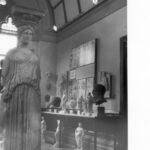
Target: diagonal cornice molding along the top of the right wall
{"type": "Point", "coordinates": [90, 18]}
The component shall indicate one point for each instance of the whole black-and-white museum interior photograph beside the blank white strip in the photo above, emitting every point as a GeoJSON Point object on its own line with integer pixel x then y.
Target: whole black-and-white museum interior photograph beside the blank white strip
{"type": "Point", "coordinates": [63, 75]}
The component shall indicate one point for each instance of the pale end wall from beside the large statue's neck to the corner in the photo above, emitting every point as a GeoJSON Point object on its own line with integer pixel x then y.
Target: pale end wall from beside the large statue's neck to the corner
{"type": "Point", "coordinates": [47, 54]}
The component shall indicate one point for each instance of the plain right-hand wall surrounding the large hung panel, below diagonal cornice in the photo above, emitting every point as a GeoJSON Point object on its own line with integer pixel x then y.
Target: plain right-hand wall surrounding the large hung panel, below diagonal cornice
{"type": "Point", "coordinates": [108, 31]}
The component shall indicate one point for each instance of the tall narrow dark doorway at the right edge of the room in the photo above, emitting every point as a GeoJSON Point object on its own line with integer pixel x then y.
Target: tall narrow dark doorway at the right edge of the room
{"type": "Point", "coordinates": [123, 92]}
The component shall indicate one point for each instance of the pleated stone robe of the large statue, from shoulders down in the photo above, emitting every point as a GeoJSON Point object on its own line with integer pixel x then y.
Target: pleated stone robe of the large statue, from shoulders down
{"type": "Point", "coordinates": [21, 76]}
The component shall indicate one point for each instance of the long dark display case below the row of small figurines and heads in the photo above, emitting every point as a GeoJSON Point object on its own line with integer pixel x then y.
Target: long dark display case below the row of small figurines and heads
{"type": "Point", "coordinates": [99, 132]}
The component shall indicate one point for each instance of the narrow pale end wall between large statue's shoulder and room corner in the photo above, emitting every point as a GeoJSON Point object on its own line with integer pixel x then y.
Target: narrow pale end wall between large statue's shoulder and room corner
{"type": "Point", "coordinates": [47, 52]}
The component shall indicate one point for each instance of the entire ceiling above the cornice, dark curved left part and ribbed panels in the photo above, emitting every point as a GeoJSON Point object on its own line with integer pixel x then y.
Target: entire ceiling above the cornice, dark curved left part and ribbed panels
{"type": "Point", "coordinates": [57, 12]}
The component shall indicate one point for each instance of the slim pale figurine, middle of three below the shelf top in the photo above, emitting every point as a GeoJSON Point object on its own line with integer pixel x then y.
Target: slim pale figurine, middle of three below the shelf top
{"type": "Point", "coordinates": [58, 134]}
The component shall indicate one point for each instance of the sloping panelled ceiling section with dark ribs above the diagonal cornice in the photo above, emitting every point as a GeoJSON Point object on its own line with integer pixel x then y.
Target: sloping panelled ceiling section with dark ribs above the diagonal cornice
{"type": "Point", "coordinates": [65, 11]}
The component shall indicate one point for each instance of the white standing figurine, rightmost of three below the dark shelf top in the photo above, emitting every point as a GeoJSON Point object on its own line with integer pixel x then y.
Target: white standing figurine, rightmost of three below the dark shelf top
{"type": "Point", "coordinates": [79, 134]}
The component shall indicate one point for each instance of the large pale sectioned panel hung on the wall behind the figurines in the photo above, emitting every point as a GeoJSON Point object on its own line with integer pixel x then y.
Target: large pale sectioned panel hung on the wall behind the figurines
{"type": "Point", "coordinates": [83, 68]}
